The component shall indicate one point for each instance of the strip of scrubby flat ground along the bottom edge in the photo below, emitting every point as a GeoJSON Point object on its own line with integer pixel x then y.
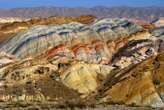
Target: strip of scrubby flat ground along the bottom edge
{"type": "Point", "coordinates": [51, 106]}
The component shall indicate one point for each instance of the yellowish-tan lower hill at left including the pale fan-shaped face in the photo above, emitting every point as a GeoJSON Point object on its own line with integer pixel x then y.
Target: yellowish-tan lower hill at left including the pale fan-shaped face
{"type": "Point", "coordinates": [50, 80]}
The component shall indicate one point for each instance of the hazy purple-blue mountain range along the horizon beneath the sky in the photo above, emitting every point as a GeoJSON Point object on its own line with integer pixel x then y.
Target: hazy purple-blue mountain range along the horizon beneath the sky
{"type": "Point", "coordinates": [148, 13]}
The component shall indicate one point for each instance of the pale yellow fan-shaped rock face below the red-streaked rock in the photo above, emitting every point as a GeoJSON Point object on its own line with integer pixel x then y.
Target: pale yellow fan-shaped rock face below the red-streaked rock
{"type": "Point", "coordinates": [85, 78]}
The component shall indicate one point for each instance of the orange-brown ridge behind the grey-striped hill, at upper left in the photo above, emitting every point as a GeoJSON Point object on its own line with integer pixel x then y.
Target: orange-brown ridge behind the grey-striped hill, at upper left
{"type": "Point", "coordinates": [9, 29]}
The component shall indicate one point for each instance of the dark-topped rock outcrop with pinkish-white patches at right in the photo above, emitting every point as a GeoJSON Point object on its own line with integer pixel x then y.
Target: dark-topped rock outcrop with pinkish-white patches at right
{"type": "Point", "coordinates": [134, 52]}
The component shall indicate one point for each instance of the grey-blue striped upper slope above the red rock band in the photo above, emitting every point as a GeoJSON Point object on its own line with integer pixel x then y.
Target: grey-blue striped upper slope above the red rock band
{"type": "Point", "coordinates": [44, 36]}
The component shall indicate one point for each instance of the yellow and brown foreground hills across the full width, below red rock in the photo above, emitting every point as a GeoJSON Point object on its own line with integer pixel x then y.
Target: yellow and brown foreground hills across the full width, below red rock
{"type": "Point", "coordinates": [139, 84]}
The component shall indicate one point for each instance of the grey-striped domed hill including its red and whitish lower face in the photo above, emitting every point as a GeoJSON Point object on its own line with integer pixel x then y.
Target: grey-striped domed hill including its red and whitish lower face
{"type": "Point", "coordinates": [94, 43]}
